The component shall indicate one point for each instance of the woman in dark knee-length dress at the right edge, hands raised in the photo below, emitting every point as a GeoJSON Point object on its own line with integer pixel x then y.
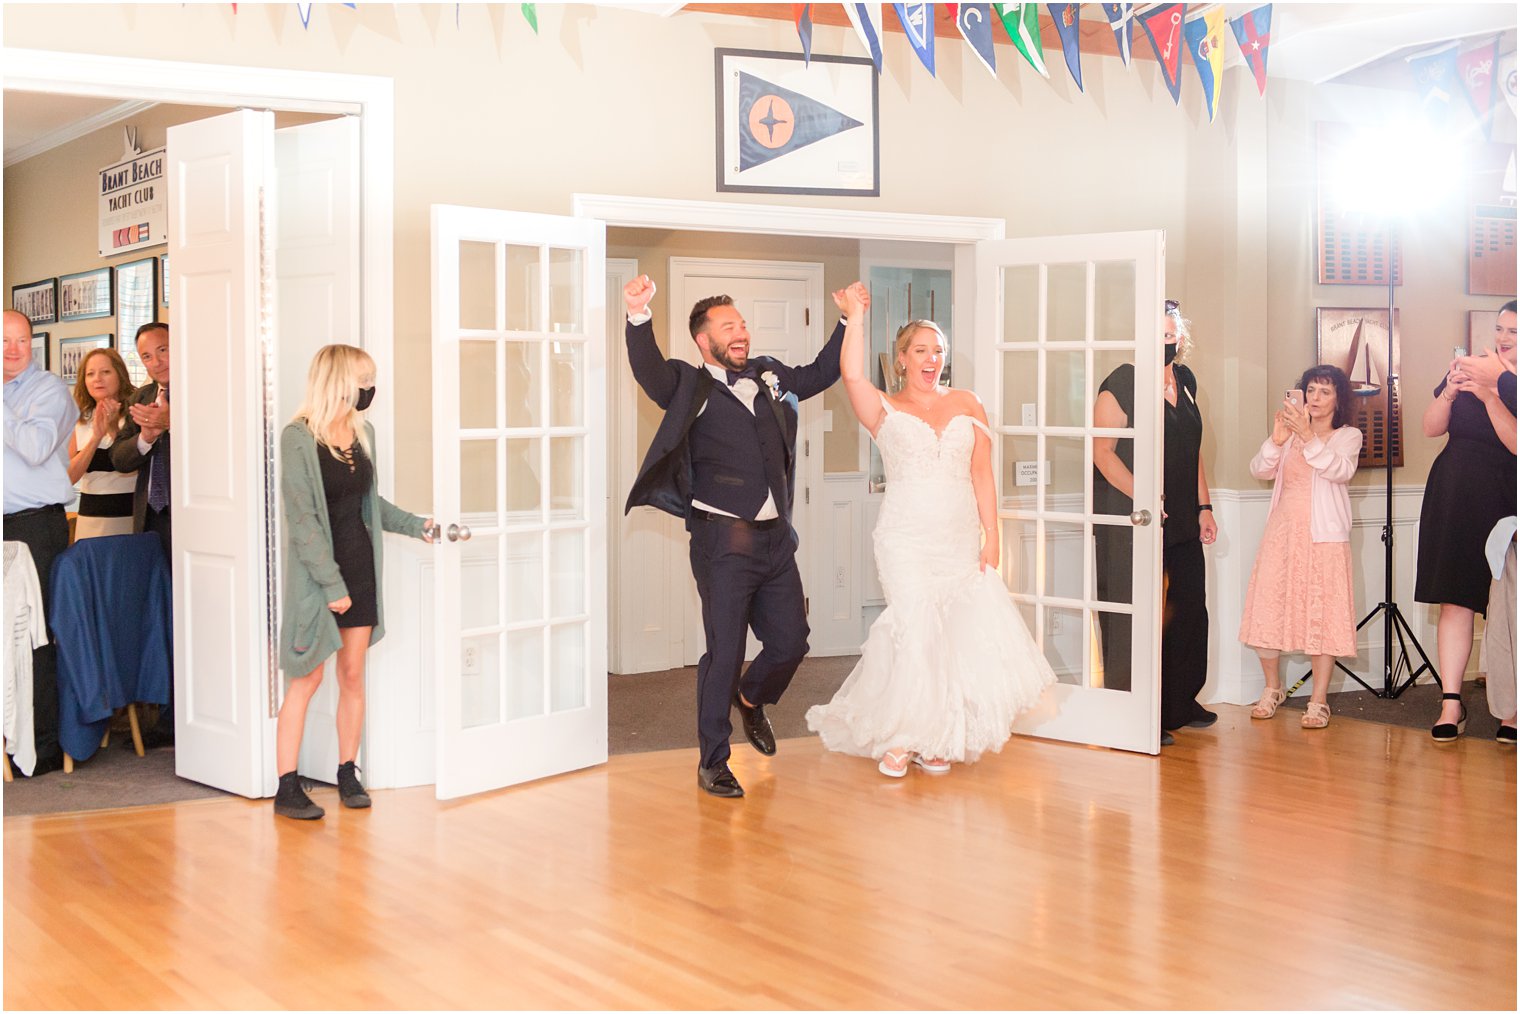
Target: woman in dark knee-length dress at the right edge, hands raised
{"type": "Point", "coordinates": [1472, 486]}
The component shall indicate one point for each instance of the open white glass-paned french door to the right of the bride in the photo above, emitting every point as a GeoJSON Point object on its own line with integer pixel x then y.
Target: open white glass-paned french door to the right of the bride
{"type": "Point", "coordinates": [1062, 314]}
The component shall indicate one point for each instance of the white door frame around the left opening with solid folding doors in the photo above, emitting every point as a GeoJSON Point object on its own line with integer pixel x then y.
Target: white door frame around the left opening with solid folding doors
{"type": "Point", "coordinates": [373, 100]}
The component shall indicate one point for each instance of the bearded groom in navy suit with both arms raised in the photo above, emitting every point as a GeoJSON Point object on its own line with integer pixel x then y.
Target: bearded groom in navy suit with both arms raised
{"type": "Point", "coordinates": [726, 461]}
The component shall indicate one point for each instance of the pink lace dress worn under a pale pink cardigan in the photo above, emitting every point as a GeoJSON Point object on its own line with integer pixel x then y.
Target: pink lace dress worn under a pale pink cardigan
{"type": "Point", "coordinates": [1300, 595]}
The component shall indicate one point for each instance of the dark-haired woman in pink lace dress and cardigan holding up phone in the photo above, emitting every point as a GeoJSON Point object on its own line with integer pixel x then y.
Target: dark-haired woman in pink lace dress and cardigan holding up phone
{"type": "Point", "coordinates": [1300, 595]}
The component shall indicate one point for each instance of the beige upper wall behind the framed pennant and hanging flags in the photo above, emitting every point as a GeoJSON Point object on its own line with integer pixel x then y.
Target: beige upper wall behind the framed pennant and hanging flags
{"type": "Point", "coordinates": [616, 103]}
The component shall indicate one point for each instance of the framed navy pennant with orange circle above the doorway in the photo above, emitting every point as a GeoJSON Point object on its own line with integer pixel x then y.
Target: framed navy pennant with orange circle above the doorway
{"type": "Point", "coordinates": [787, 125]}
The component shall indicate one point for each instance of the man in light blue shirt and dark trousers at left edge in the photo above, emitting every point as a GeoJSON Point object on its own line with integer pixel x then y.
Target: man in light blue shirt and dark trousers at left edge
{"type": "Point", "coordinates": [40, 414]}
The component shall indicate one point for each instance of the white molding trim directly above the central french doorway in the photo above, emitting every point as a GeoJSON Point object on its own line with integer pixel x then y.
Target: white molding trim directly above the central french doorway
{"type": "Point", "coordinates": [714, 217]}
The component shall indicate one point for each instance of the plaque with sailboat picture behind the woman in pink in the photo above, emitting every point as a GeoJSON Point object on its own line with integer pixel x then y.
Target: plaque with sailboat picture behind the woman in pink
{"type": "Point", "coordinates": [1357, 340]}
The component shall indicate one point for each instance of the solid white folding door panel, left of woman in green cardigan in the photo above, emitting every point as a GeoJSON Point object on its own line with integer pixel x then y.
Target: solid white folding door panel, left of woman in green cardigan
{"type": "Point", "coordinates": [220, 176]}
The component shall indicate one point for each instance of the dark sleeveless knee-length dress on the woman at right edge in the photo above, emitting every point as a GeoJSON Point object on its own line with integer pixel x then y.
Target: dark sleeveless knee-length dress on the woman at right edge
{"type": "Point", "coordinates": [1472, 486]}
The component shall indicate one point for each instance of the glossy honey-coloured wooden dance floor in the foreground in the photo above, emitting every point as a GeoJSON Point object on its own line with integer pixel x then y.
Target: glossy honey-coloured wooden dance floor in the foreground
{"type": "Point", "coordinates": [1253, 866]}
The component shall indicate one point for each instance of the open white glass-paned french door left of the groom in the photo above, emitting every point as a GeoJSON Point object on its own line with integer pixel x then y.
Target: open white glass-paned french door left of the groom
{"type": "Point", "coordinates": [521, 490]}
